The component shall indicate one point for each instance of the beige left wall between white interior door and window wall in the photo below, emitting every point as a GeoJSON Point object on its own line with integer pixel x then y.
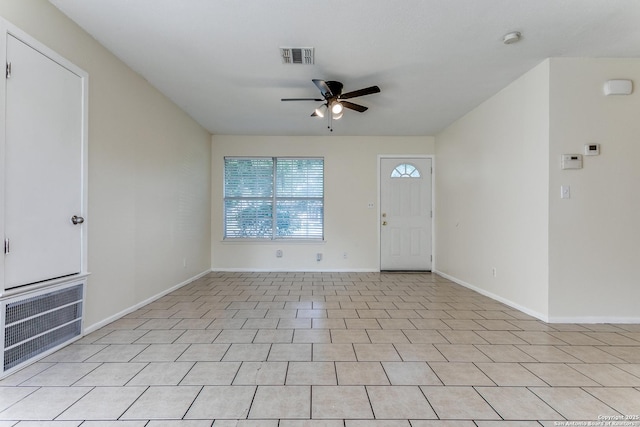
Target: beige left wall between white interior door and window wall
{"type": "Point", "coordinates": [149, 173]}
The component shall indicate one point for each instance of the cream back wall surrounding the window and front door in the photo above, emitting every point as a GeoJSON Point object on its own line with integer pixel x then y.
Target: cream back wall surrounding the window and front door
{"type": "Point", "coordinates": [351, 182]}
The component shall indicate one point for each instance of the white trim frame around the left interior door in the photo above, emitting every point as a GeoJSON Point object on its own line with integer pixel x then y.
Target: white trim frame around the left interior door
{"type": "Point", "coordinates": [7, 29]}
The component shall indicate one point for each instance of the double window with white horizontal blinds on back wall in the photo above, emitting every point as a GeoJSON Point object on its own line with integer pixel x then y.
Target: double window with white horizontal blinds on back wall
{"type": "Point", "coordinates": [273, 198]}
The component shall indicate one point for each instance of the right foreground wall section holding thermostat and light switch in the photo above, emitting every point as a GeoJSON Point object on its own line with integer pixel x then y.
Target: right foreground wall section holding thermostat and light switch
{"type": "Point", "coordinates": [594, 237]}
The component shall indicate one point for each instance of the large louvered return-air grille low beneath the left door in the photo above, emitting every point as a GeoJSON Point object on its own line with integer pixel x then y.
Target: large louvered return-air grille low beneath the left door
{"type": "Point", "coordinates": [37, 324]}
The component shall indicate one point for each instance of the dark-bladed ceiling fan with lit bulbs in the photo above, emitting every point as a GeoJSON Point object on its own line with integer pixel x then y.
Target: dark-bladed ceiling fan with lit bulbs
{"type": "Point", "coordinates": [334, 99]}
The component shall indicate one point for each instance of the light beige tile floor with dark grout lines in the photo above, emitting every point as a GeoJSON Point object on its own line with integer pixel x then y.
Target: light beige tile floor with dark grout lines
{"type": "Point", "coordinates": [328, 350]}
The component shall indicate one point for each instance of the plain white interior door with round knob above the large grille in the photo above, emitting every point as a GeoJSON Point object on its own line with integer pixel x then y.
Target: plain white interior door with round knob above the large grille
{"type": "Point", "coordinates": [43, 174]}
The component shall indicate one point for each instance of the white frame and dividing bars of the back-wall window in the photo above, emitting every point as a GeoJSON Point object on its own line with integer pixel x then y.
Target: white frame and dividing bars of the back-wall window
{"type": "Point", "coordinates": [272, 200]}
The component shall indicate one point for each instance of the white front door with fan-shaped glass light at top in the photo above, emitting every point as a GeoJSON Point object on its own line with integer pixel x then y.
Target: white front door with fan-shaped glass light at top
{"type": "Point", "coordinates": [405, 210]}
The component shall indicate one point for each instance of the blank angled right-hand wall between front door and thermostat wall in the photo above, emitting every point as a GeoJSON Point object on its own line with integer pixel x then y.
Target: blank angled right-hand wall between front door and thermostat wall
{"type": "Point", "coordinates": [491, 191]}
